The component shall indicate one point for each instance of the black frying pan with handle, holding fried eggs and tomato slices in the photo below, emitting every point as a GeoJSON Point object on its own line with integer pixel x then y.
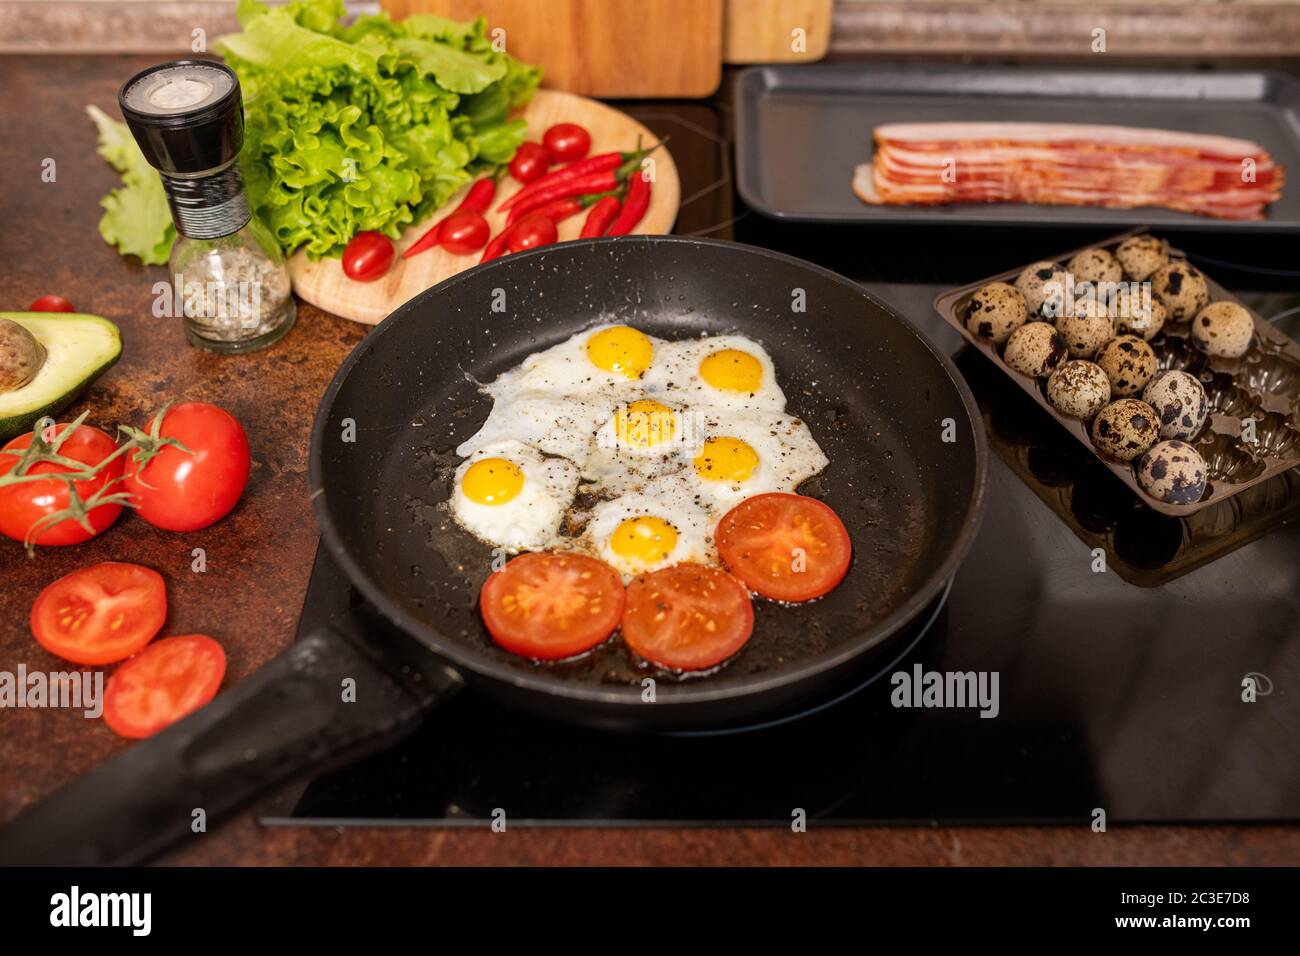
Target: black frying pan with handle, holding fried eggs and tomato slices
{"type": "Point", "coordinates": [879, 400]}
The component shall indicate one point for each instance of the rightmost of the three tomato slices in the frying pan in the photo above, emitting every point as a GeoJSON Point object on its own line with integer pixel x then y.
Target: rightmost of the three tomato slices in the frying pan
{"type": "Point", "coordinates": [785, 547]}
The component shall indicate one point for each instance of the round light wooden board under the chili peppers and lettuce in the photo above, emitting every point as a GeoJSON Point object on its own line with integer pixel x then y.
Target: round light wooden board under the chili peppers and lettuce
{"type": "Point", "coordinates": [326, 287]}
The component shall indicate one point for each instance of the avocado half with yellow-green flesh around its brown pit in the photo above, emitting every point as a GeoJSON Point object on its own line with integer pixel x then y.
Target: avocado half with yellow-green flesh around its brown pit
{"type": "Point", "coordinates": [79, 349]}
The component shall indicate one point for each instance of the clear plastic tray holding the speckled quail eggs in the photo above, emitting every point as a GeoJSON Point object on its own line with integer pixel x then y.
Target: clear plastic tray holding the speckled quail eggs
{"type": "Point", "coordinates": [1263, 386]}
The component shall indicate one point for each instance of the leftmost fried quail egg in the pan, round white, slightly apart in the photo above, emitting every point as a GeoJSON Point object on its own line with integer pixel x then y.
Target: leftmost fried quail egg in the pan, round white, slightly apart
{"type": "Point", "coordinates": [512, 496]}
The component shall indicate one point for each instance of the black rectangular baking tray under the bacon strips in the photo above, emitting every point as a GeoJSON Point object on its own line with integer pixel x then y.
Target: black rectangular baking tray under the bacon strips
{"type": "Point", "coordinates": [801, 131]}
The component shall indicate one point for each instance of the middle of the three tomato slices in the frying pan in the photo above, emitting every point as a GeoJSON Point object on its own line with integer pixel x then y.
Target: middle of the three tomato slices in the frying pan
{"type": "Point", "coordinates": [687, 617]}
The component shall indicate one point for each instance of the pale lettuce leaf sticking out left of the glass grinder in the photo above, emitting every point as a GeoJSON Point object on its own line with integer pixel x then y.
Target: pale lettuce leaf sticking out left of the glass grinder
{"type": "Point", "coordinates": [136, 215]}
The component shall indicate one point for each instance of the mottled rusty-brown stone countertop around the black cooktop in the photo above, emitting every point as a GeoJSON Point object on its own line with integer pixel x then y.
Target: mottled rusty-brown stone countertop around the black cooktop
{"type": "Point", "coordinates": [259, 559]}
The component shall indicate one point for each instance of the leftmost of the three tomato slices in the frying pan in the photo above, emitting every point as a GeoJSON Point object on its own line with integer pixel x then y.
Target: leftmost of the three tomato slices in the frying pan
{"type": "Point", "coordinates": [551, 607]}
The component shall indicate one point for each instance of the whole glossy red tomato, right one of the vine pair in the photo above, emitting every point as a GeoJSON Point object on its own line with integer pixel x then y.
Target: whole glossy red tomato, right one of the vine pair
{"type": "Point", "coordinates": [187, 491]}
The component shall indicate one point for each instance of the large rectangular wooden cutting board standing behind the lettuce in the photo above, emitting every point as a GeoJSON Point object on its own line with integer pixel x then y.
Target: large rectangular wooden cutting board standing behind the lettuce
{"type": "Point", "coordinates": [603, 47]}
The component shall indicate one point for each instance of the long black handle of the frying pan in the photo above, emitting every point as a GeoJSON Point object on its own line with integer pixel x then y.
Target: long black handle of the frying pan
{"type": "Point", "coordinates": [296, 715]}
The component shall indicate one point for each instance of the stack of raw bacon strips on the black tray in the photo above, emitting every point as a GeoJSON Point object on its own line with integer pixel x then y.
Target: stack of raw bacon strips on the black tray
{"type": "Point", "coordinates": [1069, 165]}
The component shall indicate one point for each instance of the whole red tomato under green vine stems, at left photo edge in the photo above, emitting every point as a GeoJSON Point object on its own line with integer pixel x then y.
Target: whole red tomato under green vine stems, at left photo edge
{"type": "Point", "coordinates": [24, 504]}
